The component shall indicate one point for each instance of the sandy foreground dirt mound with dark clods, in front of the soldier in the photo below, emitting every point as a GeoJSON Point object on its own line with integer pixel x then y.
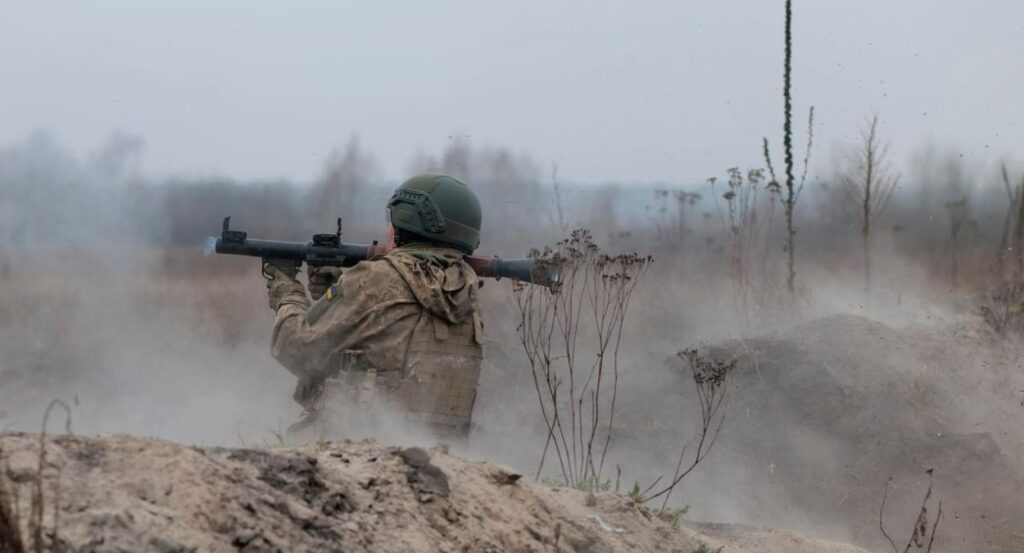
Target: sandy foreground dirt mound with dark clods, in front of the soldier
{"type": "Point", "coordinates": [129, 494]}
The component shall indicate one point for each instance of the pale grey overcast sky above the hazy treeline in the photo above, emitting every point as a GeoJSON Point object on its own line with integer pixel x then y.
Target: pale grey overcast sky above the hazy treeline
{"type": "Point", "coordinates": [632, 92]}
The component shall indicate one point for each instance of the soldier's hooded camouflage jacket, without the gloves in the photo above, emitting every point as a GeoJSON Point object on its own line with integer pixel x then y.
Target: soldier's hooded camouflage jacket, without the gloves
{"type": "Point", "coordinates": [412, 315]}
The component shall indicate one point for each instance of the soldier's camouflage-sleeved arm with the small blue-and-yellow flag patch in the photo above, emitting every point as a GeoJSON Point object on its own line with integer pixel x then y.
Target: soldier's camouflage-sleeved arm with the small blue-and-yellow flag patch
{"type": "Point", "coordinates": [360, 307]}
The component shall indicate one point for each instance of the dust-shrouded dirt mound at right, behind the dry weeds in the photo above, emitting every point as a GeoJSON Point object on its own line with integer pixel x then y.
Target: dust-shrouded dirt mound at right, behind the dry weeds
{"type": "Point", "coordinates": [828, 411]}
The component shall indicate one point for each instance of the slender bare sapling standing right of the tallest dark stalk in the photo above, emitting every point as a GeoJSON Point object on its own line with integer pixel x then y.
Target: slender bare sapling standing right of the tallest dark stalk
{"type": "Point", "coordinates": [870, 183]}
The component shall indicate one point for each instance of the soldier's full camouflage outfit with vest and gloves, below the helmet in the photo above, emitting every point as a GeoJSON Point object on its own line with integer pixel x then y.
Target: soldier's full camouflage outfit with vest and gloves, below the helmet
{"type": "Point", "coordinates": [401, 332]}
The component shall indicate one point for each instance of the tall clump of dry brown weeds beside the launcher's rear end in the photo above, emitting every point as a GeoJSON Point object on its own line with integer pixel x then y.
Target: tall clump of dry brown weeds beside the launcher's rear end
{"type": "Point", "coordinates": [572, 335]}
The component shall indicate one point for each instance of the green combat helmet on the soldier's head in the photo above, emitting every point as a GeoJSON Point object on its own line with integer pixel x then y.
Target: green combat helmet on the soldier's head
{"type": "Point", "coordinates": [439, 208]}
